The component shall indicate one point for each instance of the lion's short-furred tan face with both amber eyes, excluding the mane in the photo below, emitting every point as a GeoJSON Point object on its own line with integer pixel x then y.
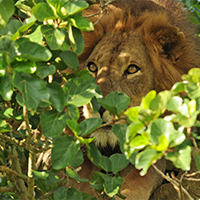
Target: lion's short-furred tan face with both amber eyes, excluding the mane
{"type": "Point", "coordinates": [118, 65]}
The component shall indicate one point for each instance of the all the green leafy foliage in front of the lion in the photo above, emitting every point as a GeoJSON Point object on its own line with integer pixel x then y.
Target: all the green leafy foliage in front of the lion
{"type": "Point", "coordinates": [39, 99]}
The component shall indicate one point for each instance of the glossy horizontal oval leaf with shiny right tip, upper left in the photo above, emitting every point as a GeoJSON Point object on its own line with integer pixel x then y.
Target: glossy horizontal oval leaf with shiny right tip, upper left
{"type": "Point", "coordinates": [32, 51]}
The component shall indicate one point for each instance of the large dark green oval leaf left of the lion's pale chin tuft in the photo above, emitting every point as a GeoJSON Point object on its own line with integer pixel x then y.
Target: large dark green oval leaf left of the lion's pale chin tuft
{"type": "Point", "coordinates": [64, 150]}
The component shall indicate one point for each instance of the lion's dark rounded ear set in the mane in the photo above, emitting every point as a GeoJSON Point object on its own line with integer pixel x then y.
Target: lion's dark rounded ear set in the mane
{"type": "Point", "coordinates": [169, 41]}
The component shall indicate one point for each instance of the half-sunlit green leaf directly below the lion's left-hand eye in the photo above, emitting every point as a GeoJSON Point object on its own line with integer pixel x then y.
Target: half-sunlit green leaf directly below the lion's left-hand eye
{"type": "Point", "coordinates": [79, 92]}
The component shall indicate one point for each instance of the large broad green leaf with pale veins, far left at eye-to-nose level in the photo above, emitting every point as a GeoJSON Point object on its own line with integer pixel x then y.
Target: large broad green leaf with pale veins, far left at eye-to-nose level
{"type": "Point", "coordinates": [33, 89]}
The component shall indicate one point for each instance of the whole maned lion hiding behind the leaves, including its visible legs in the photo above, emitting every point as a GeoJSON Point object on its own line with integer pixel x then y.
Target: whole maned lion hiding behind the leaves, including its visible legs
{"type": "Point", "coordinates": [136, 47]}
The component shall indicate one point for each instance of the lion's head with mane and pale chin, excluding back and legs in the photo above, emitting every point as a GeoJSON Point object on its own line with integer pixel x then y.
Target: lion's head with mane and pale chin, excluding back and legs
{"type": "Point", "coordinates": [134, 55]}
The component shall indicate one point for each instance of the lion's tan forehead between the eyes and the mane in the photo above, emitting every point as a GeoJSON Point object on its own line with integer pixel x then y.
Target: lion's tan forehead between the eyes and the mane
{"type": "Point", "coordinates": [114, 51]}
